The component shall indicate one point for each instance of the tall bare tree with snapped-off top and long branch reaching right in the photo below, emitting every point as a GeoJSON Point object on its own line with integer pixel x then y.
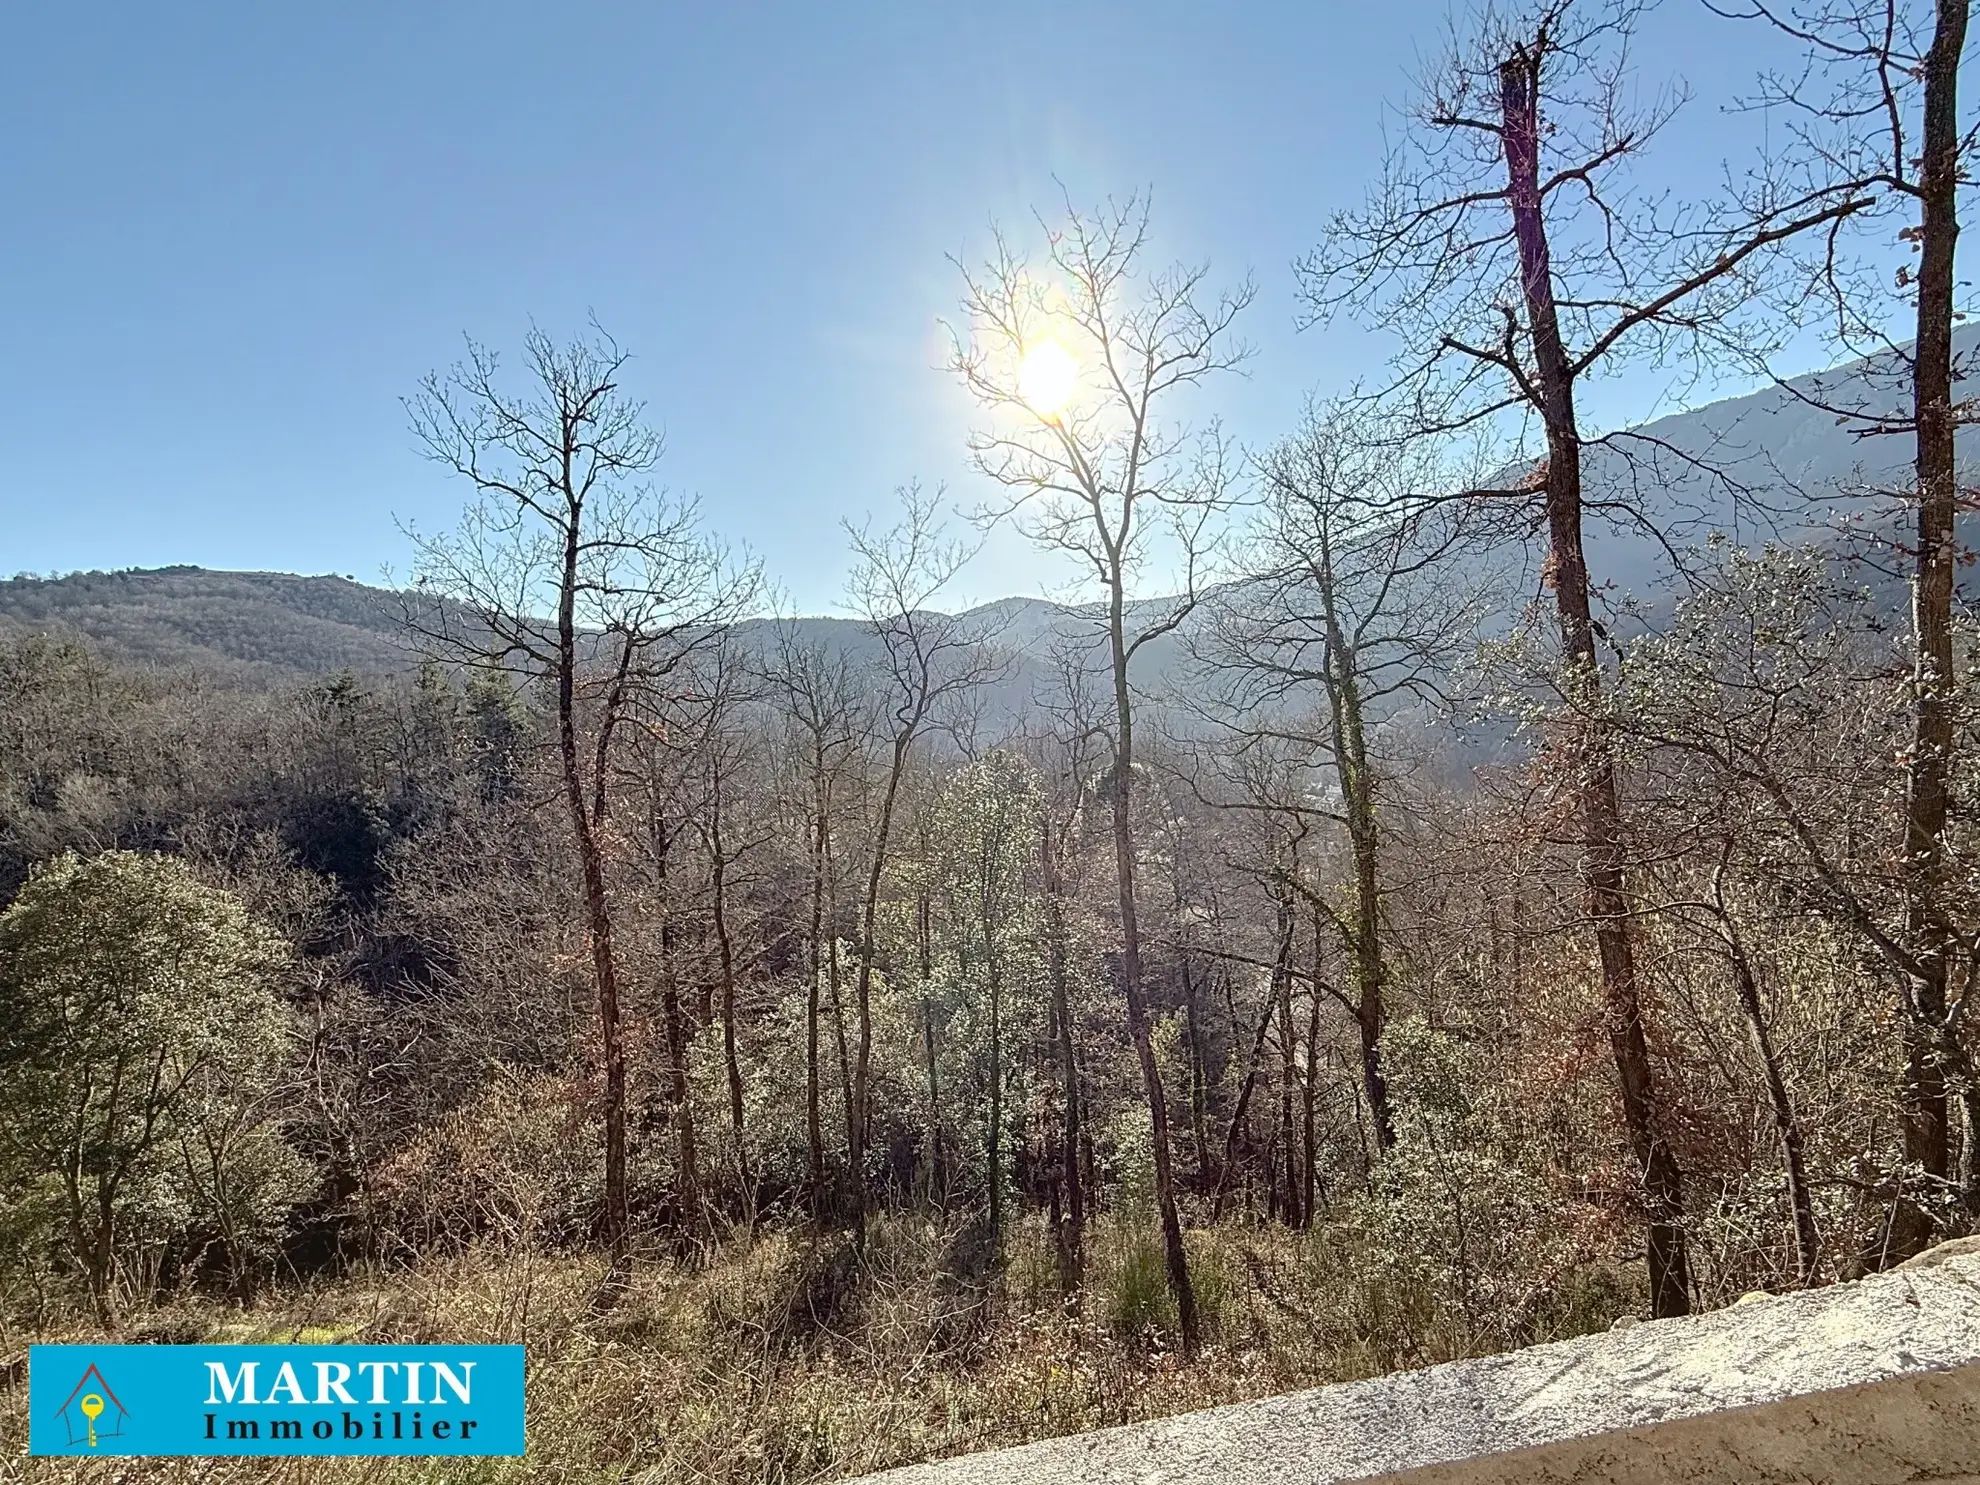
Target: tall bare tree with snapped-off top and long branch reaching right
{"type": "Point", "coordinates": [1510, 248]}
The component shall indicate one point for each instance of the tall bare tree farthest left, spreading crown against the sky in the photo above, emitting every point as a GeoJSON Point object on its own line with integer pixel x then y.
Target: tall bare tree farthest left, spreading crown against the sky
{"type": "Point", "coordinates": [571, 573]}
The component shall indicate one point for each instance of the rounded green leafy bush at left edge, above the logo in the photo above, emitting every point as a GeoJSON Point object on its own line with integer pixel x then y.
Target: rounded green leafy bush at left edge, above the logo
{"type": "Point", "coordinates": [140, 1005]}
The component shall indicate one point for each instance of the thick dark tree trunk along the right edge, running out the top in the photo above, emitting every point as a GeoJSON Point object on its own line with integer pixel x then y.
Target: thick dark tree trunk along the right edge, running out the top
{"type": "Point", "coordinates": [1928, 1126]}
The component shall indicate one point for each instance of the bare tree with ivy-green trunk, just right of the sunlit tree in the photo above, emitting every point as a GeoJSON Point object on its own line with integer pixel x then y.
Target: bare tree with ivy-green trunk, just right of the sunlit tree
{"type": "Point", "coordinates": [1353, 605]}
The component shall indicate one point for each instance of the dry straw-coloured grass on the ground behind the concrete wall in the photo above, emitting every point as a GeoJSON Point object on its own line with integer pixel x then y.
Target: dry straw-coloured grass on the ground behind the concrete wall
{"type": "Point", "coordinates": [785, 1359]}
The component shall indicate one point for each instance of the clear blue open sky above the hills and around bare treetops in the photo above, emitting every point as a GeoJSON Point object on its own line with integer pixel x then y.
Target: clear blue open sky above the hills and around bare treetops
{"type": "Point", "coordinates": [237, 237]}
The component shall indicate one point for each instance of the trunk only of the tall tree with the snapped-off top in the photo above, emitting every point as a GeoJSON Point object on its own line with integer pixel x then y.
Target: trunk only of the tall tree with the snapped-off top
{"type": "Point", "coordinates": [1591, 745]}
